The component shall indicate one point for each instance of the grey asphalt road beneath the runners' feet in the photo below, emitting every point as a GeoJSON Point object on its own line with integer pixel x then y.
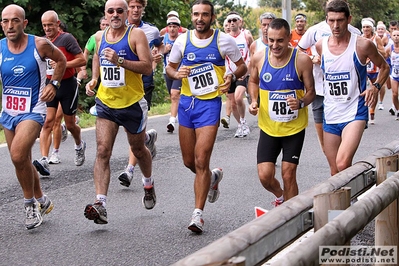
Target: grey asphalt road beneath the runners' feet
{"type": "Point", "coordinates": [134, 235]}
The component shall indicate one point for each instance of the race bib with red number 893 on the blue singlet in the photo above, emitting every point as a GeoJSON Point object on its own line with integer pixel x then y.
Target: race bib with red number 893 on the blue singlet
{"type": "Point", "coordinates": [16, 100]}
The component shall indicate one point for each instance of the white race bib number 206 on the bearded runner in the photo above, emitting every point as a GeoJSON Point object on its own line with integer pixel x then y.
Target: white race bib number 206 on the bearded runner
{"type": "Point", "coordinates": [203, 79]}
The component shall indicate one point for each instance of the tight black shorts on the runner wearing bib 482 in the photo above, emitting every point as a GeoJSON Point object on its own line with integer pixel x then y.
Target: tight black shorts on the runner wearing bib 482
{"type": "Point", "coordinates": [270, 147]}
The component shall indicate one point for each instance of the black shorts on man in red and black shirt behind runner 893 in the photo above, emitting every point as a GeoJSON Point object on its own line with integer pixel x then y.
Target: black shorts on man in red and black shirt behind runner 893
{"type": "Point", "coordinates": [67, 95]}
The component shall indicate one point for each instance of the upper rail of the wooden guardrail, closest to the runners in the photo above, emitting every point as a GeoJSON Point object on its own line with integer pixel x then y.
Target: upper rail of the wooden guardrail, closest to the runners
{"type": "Point", "coordinates": [261, 238]}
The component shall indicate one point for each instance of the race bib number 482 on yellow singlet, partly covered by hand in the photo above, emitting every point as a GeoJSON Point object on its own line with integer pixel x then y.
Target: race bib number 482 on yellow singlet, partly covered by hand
{"type": "Point", "coordinates": [279, 110]}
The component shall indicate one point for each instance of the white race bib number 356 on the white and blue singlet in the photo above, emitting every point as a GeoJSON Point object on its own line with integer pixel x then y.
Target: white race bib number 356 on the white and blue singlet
{"type": "Point", "coordinates": [338, 86]}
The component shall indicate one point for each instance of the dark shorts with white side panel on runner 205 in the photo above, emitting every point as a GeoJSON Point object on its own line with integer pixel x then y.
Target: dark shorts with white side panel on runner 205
{"type": "Point", "coordinates": [132, 118]}
